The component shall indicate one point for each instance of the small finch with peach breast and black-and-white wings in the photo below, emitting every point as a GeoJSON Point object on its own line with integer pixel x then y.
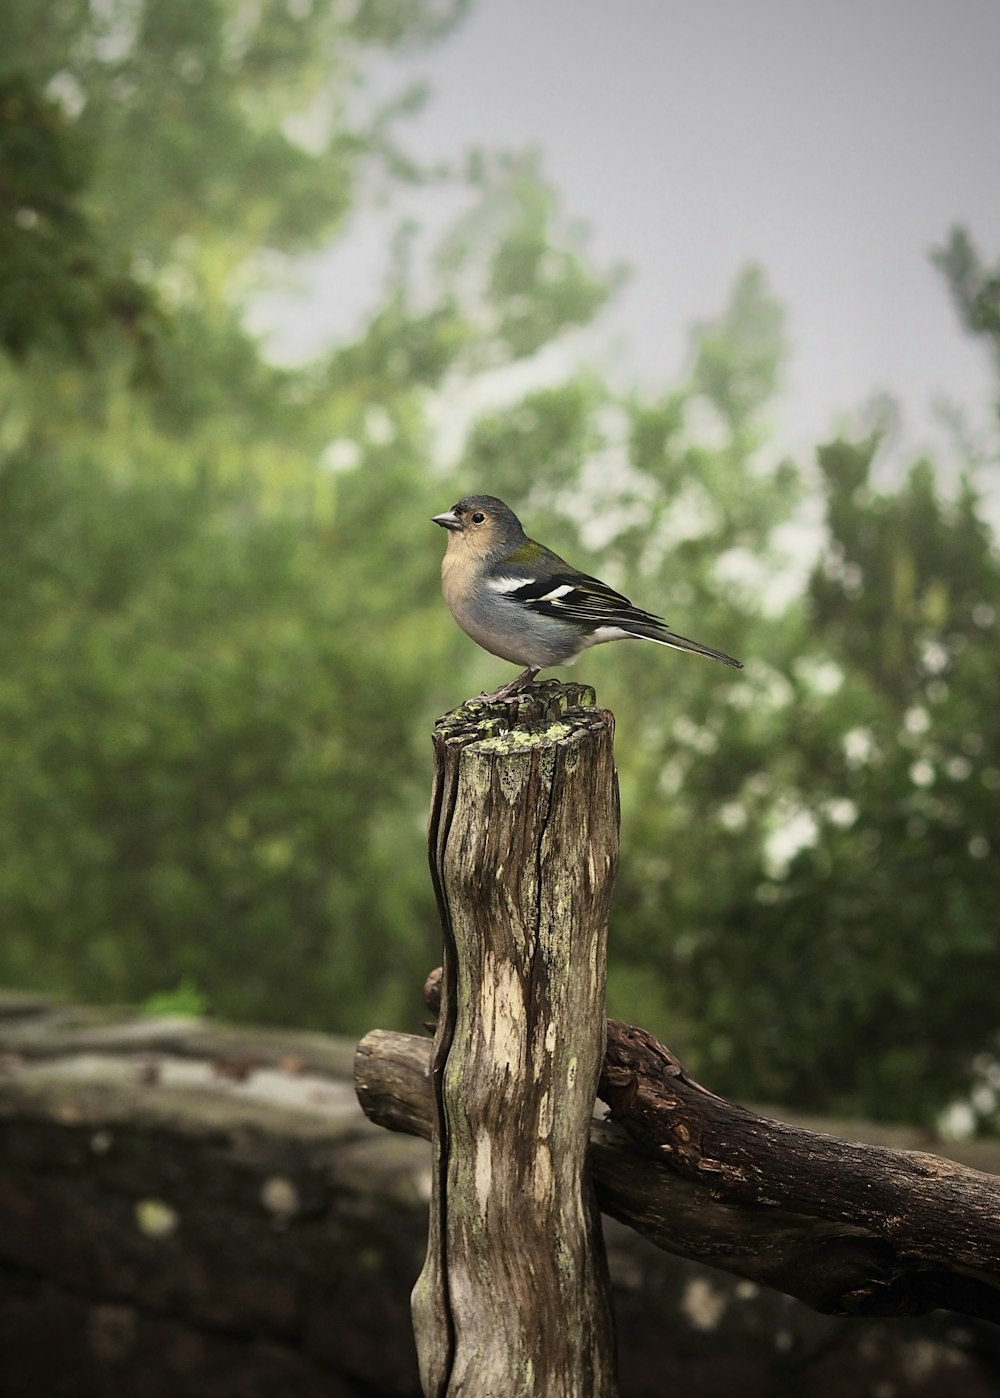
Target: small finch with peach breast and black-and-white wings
{"type": "Point", "coordinates": [524, 603]}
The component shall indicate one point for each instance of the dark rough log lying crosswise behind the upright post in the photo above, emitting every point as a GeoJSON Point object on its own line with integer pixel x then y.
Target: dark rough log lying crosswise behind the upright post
{"type": "Point", "coordinates": [848, 1228]}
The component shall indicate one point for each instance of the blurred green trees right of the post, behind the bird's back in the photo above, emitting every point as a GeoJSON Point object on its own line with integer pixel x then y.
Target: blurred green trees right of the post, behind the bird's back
{"type": "Point", "coordinates": [806, 895]}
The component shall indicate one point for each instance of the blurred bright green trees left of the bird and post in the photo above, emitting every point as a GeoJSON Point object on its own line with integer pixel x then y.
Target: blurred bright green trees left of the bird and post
{"type": "Point", "coordinates": [219, 645]}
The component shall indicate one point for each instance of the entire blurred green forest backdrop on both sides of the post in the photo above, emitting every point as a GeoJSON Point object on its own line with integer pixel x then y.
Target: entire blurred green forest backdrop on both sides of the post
{"type": "Point", "coordinates": [223, 644]}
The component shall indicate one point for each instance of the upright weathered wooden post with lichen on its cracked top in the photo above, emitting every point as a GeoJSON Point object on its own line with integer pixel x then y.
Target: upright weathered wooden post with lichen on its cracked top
{"type": "Point", "coordinates": [524, 837]}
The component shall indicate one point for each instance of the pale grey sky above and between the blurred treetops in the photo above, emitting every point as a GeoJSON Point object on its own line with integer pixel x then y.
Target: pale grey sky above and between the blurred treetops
{"type": "Point", "coordinates": [834, 145]}
